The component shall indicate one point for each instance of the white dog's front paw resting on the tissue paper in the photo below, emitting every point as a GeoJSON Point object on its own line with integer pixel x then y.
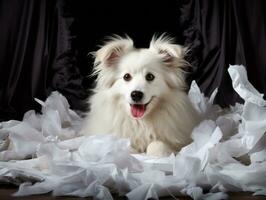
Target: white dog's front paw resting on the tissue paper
{"type": "Point", "coordinates": [158, 149]}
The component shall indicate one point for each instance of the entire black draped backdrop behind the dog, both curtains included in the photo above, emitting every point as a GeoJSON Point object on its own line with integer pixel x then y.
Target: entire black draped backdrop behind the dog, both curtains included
{"type": "Point", "coordinates": [44, 44]}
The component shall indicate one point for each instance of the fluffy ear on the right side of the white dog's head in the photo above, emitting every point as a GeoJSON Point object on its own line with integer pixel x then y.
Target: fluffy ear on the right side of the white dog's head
{"type": "Point", "coordinates": [170, 53]}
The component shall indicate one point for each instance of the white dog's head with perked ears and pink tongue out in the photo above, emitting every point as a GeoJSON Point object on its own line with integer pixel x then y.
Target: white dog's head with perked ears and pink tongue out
{"type": "Point", "coordinates": [140, 78]}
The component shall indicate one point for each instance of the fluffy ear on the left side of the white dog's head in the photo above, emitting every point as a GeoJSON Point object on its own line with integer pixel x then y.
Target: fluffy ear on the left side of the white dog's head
{"type": "Point", "coordinates": [111, 51]}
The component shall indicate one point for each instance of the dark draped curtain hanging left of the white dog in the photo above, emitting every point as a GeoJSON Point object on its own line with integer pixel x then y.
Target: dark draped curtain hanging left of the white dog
{"type": "Point", "coordinates": [37, 55]}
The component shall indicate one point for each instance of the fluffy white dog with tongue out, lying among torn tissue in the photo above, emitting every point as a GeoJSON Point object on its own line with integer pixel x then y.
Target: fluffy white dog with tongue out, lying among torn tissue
{"type": "Point", "coordinates": [140, 95]}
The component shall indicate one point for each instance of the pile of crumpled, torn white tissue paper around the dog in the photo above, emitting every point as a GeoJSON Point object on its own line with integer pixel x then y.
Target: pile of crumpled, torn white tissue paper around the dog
{"type": "Point", "coordinates": [44, 153]}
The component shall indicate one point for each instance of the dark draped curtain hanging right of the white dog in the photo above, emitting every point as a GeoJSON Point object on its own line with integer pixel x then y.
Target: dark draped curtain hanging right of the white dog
{"type": "Point", "coordinates": [222, 33]}
